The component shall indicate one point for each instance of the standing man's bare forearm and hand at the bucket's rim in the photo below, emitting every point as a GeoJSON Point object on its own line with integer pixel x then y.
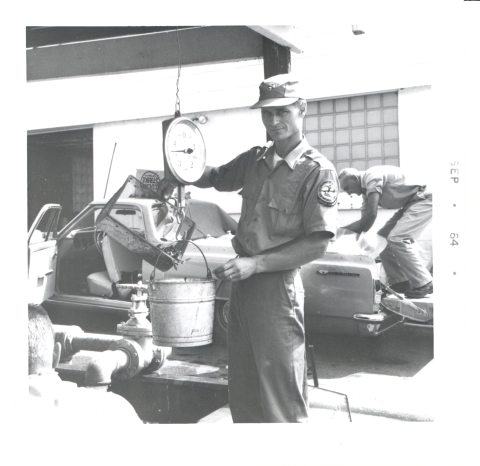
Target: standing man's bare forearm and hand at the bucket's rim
{"type": "Point", "coordinates": [292, 255]}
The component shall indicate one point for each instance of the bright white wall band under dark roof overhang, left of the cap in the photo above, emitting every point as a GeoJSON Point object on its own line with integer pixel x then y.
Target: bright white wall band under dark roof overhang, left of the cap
{"type": "Point", "coordinates": [84, 101]}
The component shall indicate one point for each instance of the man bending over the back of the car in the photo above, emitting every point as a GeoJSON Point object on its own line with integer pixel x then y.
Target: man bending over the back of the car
{"type": "Point", "coordinates": [386, 186]}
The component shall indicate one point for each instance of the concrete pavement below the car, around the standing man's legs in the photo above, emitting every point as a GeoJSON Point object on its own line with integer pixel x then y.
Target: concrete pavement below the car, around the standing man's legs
{"type": "Point", "coordinates": [389, 379]}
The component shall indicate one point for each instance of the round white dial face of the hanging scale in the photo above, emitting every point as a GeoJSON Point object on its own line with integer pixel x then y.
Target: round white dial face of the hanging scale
{"type": "Point", "coordinates": [184, 150]}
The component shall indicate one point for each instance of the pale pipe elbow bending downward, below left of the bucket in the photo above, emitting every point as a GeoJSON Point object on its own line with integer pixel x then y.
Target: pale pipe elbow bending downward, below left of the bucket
{"type": "Point", "coordinates": [101, 368]}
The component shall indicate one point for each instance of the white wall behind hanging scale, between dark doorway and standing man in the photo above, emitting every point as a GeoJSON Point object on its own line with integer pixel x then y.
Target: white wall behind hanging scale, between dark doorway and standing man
{"type": "Point", "coordinates": [227, 133]}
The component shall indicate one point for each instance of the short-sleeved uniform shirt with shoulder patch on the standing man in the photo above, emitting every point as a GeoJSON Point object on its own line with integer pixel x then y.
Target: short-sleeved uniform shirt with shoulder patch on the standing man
{"type": "Point", "coordinates": [281, 201]}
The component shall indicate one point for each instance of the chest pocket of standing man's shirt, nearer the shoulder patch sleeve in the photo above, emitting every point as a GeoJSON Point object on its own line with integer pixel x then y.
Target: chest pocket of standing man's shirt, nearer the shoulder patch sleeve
{"type": "Point", "coordinates": [285, 217]}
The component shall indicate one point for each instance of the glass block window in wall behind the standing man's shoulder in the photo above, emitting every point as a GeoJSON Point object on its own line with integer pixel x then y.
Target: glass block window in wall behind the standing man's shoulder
{"type": "Point", "coordinates": [359, 131]}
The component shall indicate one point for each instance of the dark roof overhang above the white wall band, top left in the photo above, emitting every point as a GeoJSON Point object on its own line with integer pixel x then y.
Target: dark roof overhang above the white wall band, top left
{"type": "Point", "coordinates": [60, 52]}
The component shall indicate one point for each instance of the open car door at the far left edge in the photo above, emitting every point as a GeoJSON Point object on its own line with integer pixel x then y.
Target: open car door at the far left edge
{"type": "Point", "coordinates": [42, 254]}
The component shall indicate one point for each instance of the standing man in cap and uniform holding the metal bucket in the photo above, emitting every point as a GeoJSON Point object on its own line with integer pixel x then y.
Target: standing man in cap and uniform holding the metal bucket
{"type": "Point", "coordinates": [288, 216]}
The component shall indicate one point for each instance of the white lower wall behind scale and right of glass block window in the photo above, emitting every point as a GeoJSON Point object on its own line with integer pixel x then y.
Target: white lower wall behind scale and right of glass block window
{"type": "Point", "coordinates": [228, 133]}
